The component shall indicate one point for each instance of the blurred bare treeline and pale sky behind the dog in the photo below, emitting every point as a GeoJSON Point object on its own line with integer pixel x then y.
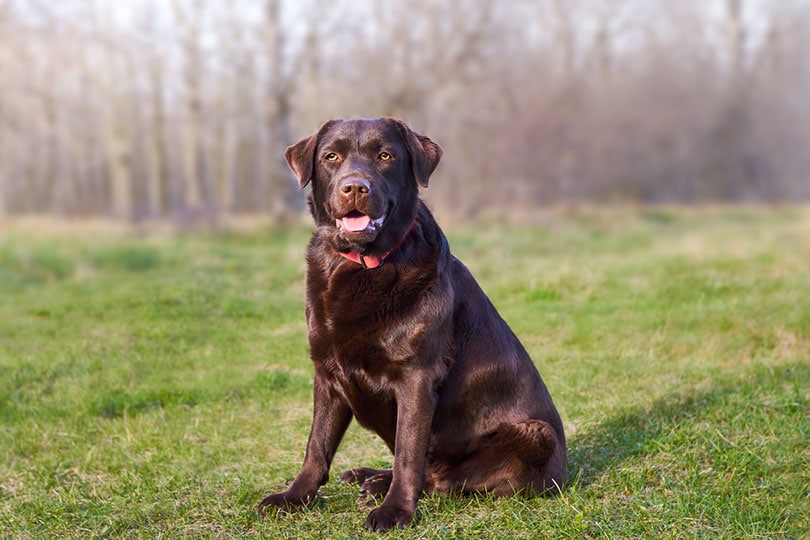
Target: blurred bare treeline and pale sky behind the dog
{"type": "Point", "coordinates": [182, 108]}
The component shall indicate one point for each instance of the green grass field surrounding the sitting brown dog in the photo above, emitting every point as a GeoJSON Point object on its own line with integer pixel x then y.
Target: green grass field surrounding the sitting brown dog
{"type": "Point", "coordinates": [159, 386]}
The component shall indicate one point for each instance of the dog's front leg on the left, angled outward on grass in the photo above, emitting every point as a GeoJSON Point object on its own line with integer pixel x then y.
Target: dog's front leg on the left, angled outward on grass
{"type": "Point", "coordinates": [331, 416]}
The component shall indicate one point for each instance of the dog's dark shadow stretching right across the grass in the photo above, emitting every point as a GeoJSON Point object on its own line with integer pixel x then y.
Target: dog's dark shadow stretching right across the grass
{"type": "Point", "coordinates": [641, 431]}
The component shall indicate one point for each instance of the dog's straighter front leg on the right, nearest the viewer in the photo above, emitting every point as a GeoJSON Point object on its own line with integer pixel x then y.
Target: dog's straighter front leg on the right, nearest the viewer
{"type": "Point", "coordinates": [416, 402]}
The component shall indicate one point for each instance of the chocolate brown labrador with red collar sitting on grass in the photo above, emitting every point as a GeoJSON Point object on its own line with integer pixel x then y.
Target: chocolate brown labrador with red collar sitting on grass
{"type": "Point", "coordinates": [404, 340]}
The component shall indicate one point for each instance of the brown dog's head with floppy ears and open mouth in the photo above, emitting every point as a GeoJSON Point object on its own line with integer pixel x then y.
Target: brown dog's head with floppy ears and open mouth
{"type": "Point", "coordinates": [365, 176]}
